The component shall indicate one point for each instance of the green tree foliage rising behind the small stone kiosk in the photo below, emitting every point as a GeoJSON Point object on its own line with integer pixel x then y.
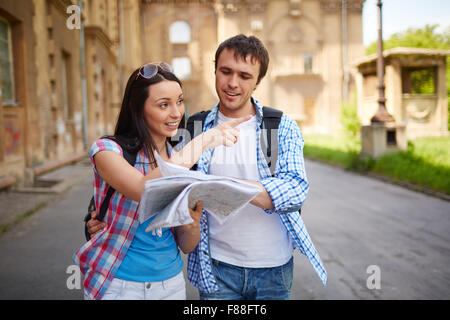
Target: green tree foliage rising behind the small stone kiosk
{"type": "Point", "coordinates": [425, 37]}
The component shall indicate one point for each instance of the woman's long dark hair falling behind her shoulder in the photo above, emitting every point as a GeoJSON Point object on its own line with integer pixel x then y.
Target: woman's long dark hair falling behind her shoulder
{"type": "Point", "coordinates": [131, 129]}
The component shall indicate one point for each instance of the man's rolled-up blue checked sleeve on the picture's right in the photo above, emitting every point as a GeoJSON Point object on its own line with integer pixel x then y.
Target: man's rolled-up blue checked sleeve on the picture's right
{"type": "Point", "coordinates": [289, 187]}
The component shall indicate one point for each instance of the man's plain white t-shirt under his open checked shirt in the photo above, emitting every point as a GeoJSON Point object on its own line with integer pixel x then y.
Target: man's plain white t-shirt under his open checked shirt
{"type": "Point", "coordinates": [249, 237]}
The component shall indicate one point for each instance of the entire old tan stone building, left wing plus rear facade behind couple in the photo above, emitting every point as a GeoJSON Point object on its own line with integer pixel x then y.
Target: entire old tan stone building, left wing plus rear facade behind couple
{"type": "Point", "coordinates": [62, 88]}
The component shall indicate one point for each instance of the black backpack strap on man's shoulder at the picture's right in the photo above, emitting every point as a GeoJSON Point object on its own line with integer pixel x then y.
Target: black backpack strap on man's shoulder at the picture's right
{"type": "Point", "coordinates": [269, 136]}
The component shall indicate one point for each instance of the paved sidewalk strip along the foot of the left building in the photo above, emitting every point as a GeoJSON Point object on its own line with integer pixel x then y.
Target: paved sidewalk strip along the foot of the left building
{"type": "Point", "coordinates": [18, 204]}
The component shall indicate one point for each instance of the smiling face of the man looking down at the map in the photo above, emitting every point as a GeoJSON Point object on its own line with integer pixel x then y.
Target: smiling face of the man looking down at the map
{"type": "Point", "coordinates": [235, 81]}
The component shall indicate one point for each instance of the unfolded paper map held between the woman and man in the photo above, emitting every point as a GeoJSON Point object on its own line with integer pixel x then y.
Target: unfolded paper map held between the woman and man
{"type": "Point", "coordinates": [169, 197]}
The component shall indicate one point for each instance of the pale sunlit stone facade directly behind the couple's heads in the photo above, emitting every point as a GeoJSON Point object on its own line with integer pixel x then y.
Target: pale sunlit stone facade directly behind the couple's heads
{"type": "Point", "coordinates": [311, 45]}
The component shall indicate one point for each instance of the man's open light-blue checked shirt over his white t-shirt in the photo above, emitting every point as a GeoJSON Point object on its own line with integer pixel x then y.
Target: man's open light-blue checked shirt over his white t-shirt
{"type": "Point", "coordinates": [288, 189]}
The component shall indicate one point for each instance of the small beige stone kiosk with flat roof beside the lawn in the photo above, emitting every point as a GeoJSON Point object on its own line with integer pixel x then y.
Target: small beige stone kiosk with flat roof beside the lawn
{"type": "Point", "coordinates": [416, 97]}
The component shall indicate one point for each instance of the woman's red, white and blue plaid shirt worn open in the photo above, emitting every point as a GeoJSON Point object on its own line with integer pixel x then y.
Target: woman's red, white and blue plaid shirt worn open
{"type": "Point", "coordinates": [100, 258]}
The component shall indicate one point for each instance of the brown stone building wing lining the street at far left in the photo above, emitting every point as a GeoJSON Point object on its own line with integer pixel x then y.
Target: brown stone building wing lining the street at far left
{"type": "Point", "coordinates": [41, 112]}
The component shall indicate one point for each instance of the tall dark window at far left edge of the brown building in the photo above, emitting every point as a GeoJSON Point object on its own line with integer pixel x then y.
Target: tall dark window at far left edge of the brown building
{"type": "Point", "coordinates": [6, 63]}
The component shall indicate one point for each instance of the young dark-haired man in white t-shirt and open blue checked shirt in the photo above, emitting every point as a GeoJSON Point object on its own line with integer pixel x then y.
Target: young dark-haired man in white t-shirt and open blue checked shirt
{"type": "Point", "coordinates": [250, 254]}
